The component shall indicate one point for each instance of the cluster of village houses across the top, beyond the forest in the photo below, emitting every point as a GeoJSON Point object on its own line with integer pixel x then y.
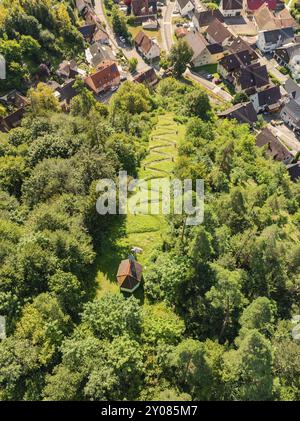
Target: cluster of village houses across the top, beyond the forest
{"type": "Point", "coordinates": [240, 38]}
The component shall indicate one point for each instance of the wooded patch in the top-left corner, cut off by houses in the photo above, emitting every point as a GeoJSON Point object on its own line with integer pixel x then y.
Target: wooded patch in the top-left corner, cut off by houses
{"type": "Point", "coordinates": [35, 32]}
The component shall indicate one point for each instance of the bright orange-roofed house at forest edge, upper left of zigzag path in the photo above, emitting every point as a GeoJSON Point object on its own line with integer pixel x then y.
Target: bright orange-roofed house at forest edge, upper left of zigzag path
{"type": "Point", "coordinates": [106, 76]}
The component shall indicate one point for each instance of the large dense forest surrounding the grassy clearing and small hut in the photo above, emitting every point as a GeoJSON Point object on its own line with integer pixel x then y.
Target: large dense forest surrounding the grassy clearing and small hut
{"type": "Point", "coordinates": [214, 320]}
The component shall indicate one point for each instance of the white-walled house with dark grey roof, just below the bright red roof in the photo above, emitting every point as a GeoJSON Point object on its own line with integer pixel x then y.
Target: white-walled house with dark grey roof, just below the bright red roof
{"type": "Point", "coordinates": [270, 40]}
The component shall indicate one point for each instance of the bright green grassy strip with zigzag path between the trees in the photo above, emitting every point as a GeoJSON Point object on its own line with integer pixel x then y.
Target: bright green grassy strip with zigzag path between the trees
{"type": "Point", "coordinates": [145, 231]}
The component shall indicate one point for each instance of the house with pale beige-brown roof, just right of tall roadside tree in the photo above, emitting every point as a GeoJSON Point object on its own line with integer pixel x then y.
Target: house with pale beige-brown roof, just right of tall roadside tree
{"type": "Point", "coordinates": [203, 52]}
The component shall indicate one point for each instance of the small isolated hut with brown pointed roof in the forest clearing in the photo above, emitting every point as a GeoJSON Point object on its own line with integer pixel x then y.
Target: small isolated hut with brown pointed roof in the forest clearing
{"type": "Point", "coordinates": [129, 275]}
